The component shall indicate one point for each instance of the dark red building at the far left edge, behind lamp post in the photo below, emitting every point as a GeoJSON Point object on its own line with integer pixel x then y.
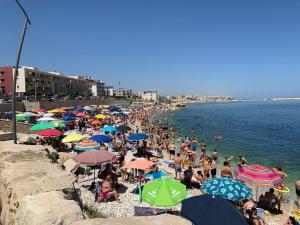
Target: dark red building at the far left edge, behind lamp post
{"type": "Point", "coordinates": [6, 81]}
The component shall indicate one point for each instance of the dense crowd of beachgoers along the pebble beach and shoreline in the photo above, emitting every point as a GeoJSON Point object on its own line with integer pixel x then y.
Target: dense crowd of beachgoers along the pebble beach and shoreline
{"type": "Point", "coordinates": [190, 167]}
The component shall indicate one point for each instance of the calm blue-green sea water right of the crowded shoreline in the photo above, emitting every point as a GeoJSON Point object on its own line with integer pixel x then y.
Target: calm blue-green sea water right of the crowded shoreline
{"type": "Point", "coordinates": [266, 133]}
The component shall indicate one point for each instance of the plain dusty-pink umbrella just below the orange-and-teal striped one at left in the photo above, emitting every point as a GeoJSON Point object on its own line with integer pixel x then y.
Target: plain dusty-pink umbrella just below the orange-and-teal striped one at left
{"type": "Point", "coordinates": [94, 157]}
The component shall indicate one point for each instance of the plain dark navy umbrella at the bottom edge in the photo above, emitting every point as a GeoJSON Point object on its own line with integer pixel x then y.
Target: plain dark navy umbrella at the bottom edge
{"type": "Point", "coordinates": [211, 210]}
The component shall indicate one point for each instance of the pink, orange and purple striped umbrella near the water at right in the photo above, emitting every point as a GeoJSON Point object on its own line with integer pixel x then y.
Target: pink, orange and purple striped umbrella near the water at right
{"type": "Point", "coordinates": [257, 175]}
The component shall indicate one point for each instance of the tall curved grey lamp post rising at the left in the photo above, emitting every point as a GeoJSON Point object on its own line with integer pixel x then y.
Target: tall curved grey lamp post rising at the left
{"type": "Point", "coordinates": [27, 21]}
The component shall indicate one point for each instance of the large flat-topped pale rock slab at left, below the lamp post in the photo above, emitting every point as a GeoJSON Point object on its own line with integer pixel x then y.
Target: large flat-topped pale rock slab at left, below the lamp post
{"type": "Point", "coordinates": [25, 170]}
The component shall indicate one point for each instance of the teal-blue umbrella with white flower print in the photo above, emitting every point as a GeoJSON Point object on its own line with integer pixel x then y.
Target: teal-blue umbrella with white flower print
{"type": "Point", "coordinates": [227, 188]}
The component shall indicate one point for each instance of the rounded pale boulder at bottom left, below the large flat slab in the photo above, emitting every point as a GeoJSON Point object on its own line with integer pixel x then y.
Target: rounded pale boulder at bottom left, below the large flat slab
{"type": "Point", "coordinates": [49, 208]}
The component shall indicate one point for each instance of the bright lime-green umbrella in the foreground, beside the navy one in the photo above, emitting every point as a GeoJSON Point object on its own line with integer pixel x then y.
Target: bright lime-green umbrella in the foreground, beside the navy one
{"type": "Point", "coordinates": [164, 192]}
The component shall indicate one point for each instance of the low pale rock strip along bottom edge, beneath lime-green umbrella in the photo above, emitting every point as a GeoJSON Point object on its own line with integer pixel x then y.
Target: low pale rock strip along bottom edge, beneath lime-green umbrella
{"type": "Point", "coordinates": [142, 220]}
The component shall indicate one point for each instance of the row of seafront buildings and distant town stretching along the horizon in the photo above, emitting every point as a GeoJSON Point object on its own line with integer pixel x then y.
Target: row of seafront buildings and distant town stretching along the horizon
{"type": "Point", "coordinates": [34, 84]}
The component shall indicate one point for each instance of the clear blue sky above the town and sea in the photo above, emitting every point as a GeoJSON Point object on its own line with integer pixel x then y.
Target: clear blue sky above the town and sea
{"type": "Point", "coordinates": [225, 47]}
